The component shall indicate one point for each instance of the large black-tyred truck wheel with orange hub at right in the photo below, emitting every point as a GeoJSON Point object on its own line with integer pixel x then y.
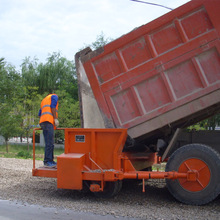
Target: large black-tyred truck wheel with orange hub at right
{"type": "Point", "coordinates": [206, 162]}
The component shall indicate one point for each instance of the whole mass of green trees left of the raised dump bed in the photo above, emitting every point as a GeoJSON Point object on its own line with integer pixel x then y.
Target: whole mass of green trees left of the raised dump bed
{"type": "Point", "coordinates": [22, 93]}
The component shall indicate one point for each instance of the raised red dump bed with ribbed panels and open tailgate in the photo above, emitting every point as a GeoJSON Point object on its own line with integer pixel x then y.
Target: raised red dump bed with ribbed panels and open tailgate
{"type": "Point", "coordinates": [160, 76]}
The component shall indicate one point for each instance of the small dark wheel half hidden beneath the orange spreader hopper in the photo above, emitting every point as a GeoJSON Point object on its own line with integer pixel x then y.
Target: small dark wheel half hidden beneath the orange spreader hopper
{"type": "Point", "coordinates": [110, 189]}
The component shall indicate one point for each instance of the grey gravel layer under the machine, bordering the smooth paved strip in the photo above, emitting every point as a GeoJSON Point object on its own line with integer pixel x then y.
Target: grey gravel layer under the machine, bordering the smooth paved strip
{"type": "Point", "coordinates": [17, 184]}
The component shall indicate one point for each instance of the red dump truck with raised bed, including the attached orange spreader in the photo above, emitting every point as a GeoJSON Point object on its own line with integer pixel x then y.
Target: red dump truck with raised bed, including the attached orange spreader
{"type": "Point", "coordinates": [136, 94]}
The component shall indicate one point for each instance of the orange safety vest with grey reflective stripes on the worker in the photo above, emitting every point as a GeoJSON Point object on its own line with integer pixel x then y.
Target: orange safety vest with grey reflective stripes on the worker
{"type": "Point", "coordinates": [46, 112]}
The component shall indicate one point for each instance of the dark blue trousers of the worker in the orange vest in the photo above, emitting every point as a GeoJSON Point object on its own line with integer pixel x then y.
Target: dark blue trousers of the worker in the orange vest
{"type": "Point", "coordinates": [48, 132]}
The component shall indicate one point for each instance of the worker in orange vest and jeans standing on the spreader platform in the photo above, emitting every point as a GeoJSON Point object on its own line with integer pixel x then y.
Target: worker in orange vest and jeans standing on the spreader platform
{"type": "Point", "coordinates": [48, 114]}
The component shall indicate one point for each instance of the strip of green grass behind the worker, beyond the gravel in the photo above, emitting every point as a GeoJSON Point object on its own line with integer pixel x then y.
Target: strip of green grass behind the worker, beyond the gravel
{"type": "Point", "coordinates": [21, 151]}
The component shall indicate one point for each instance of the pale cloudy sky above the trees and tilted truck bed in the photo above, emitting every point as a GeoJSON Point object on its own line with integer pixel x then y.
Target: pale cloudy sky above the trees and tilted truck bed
{"type": "Point", "coordinates": [37, 28]}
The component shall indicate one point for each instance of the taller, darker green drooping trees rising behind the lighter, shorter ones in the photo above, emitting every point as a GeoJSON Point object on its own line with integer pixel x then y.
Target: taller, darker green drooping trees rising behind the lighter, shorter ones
{"type": "Point", "coordinates": [57, 73]}
